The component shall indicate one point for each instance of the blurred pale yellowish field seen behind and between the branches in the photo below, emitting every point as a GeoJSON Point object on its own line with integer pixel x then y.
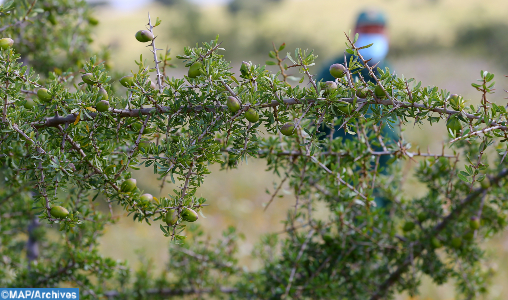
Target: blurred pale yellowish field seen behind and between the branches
{"type": "Point", "coordinates": [439, 42]}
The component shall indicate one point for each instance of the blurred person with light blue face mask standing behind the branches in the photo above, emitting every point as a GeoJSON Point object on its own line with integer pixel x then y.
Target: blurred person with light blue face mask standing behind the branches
{"type": "Point", "coordinates": [372, 29]}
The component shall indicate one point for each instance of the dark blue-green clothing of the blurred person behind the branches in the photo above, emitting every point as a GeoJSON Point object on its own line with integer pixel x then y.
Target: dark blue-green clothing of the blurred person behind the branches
{"type": "Point", "coordinates": [389, 134]}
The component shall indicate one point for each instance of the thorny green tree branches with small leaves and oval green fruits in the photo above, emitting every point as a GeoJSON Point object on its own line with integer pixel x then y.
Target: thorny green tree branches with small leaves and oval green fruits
{"type": "Point", "coordinates": [71, 135]}
